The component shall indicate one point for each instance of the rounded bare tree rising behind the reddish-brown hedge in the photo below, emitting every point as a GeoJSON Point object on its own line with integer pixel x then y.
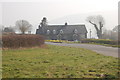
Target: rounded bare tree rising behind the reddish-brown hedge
{"type": "Point", "coordinates": [23, 26]}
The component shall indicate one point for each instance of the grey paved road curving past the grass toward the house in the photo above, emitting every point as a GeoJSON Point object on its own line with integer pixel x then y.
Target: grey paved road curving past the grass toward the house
{"type": "Point", "coordinates": [107, 51]}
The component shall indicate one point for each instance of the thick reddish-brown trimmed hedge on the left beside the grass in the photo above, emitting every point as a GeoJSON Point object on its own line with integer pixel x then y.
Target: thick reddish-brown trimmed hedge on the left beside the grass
{"type": "Point", "coordinates": [17, 41]}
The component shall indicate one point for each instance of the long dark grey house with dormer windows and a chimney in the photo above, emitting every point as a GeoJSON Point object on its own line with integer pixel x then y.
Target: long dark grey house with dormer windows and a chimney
{"type": "Point", "coordinates": [63, 32]}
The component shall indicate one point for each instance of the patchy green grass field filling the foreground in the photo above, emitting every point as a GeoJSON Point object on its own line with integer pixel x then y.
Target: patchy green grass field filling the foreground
{"type": "Point", "coordinates": [57, 62]}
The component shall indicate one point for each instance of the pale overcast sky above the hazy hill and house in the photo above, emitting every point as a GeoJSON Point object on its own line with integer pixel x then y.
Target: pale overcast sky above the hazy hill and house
{"type": "Point", "coordinates": [34, 10]}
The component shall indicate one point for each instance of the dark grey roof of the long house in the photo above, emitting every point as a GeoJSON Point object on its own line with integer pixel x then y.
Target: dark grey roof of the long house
{"type": "Point", "coordinates": [66, 29]}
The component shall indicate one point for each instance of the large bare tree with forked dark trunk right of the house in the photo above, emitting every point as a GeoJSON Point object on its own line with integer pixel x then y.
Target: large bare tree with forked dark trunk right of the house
{"type": "Point", "coordinates": [98, 22]}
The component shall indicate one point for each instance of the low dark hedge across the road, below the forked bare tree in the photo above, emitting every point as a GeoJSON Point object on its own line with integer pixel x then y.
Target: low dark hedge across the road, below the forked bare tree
{"type": "Point", "coordinates": [101, 41]}
